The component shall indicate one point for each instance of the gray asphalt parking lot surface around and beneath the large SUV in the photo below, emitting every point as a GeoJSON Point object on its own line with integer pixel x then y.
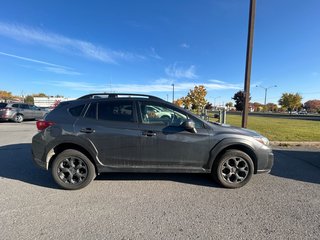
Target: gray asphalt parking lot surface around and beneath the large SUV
{"type": "Point", "coordinates": [284, 204]}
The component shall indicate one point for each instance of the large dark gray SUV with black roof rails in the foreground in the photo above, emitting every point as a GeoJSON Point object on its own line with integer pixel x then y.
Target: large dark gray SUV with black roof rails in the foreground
{"type": "Point", "coordinates": [100, 133]}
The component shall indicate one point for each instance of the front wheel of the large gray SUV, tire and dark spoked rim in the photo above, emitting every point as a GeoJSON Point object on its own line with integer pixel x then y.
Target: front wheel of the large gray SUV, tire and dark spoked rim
{"type": "Point", "coordinates": [233, 169]}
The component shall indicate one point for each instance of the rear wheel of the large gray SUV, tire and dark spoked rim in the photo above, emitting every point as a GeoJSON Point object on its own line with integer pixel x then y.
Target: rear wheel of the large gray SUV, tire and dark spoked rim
{"type": "Point", "coordinates": [72, 170]}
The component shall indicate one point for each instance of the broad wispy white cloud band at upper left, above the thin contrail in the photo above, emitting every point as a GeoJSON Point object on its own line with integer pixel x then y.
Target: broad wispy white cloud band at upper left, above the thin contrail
{"type": "Point", "coordinates": [52, 40]}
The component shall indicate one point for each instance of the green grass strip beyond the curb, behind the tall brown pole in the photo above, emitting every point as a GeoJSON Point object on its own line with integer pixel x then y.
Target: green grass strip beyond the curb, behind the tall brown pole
{"type": "Point", "coordinates": [280, 129]}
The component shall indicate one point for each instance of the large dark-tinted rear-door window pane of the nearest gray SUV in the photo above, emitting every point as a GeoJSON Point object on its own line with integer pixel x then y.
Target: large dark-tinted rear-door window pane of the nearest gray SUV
{"type": "Point", "coordinates": [121, 111]}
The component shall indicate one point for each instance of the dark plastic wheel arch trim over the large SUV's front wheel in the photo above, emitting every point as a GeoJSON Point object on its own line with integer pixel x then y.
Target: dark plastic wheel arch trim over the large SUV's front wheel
{"type": "Point", "coordinates": [219, 150]}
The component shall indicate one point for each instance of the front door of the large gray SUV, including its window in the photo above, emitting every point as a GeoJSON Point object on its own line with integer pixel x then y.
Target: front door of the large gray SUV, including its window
{"type": "Point", "coordinates": [164, 140]}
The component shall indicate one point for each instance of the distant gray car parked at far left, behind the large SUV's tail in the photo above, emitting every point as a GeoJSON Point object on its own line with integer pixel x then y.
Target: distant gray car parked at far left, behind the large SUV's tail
{"type": "Point", "coordinates": [18, 112]}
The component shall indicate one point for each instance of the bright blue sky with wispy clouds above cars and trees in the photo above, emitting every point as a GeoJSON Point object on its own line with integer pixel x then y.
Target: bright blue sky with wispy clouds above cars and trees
{"type": "Point", "coordinates": [74, 47]}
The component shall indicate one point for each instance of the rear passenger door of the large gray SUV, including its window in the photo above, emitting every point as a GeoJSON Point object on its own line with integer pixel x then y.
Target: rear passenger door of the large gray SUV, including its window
{"type": "Point", "coordinates": [111, 125]}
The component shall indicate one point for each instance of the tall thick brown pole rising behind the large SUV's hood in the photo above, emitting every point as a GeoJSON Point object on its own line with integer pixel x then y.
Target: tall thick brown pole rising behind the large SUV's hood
{"type": "Point", "coordinates": [252, 13]}
